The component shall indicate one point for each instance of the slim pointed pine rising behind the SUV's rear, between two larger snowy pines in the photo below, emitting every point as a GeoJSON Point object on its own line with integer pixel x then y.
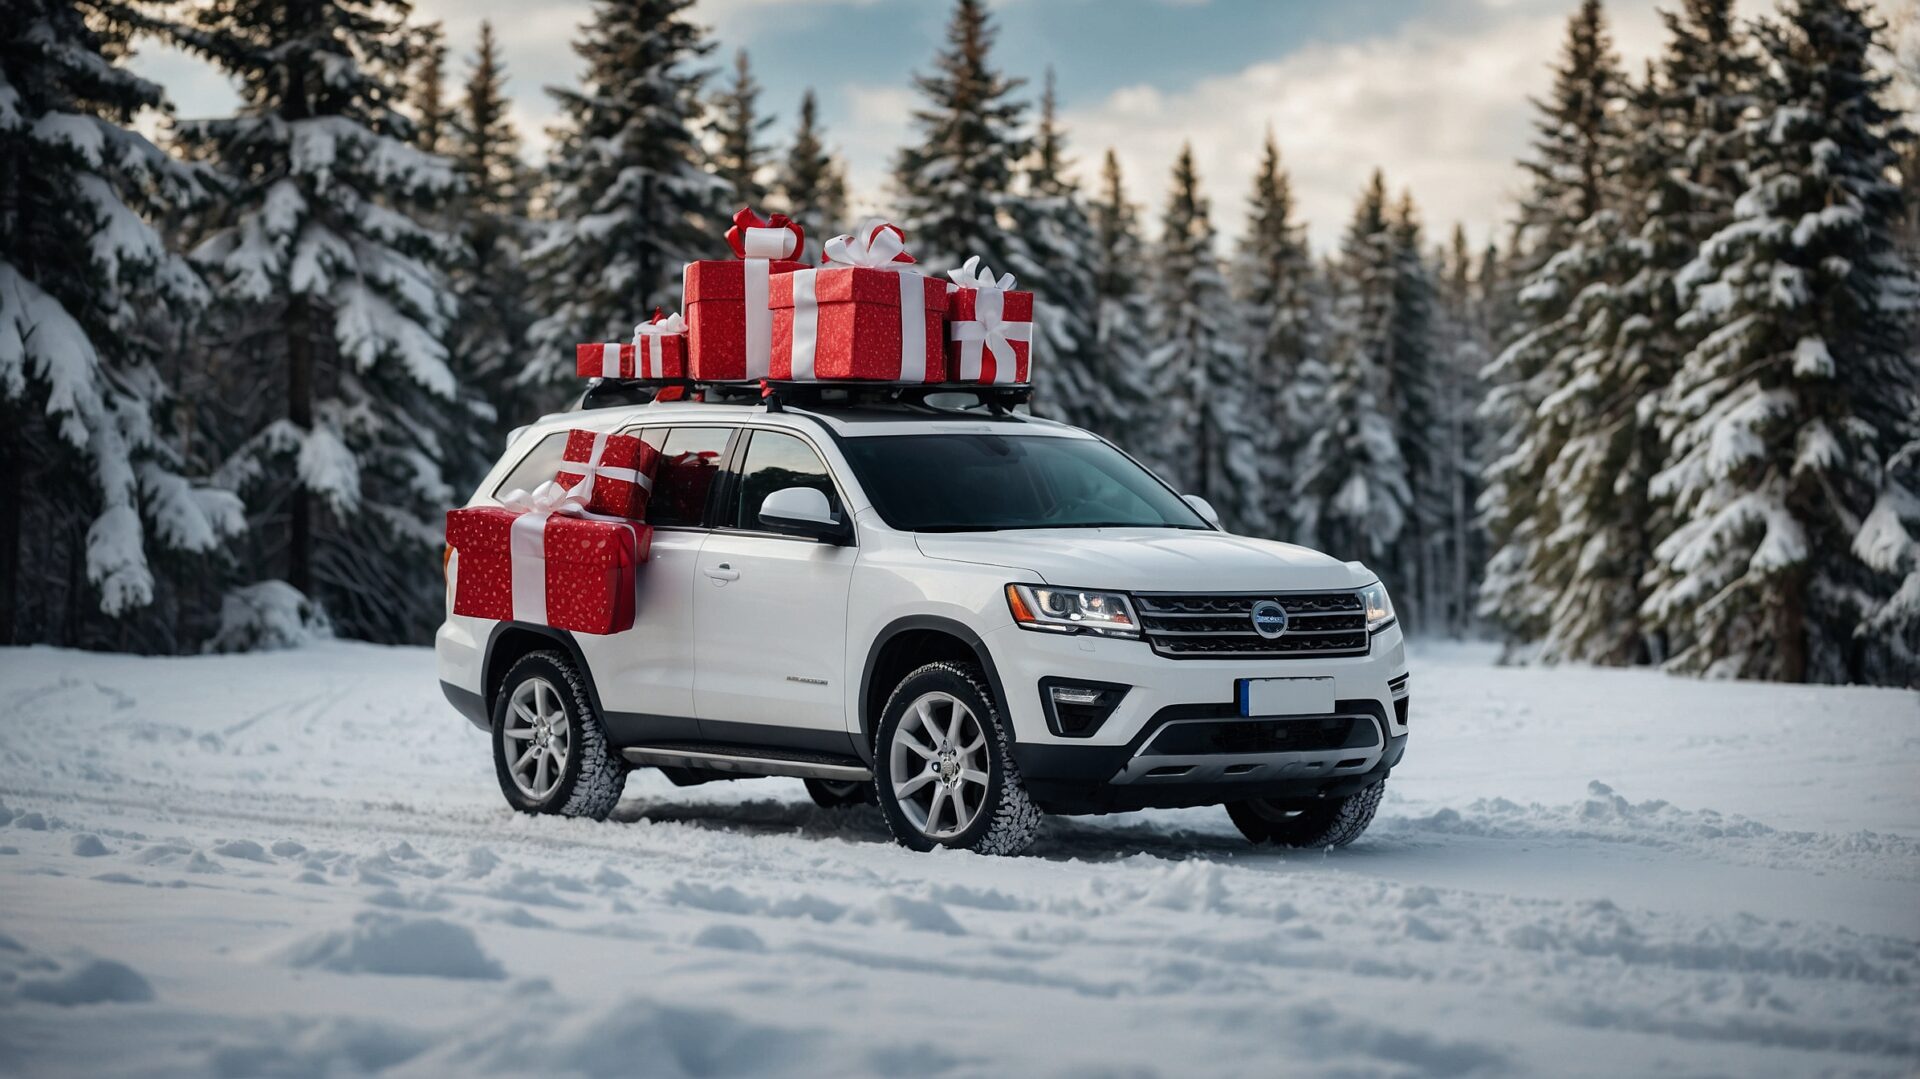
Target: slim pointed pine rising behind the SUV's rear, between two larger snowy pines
{"type": "Point", "coordinates": [492, 218]}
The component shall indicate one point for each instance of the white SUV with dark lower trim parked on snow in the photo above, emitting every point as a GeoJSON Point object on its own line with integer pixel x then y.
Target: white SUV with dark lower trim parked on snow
{"type": "Point", "coordinates": [967, 617]}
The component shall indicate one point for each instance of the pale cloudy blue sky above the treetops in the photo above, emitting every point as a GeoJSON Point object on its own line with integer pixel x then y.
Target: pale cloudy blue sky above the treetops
{"type": "Point", "coordinates": [1433, 91]}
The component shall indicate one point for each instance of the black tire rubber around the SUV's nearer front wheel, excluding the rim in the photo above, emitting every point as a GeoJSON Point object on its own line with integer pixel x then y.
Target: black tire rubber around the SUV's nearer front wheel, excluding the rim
{"type": "Point", "coordinates": [1007, 821]}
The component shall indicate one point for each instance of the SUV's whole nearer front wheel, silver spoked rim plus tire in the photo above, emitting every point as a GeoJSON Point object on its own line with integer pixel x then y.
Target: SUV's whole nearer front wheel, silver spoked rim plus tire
{"type": "Point", "coordinates": [944, 767]}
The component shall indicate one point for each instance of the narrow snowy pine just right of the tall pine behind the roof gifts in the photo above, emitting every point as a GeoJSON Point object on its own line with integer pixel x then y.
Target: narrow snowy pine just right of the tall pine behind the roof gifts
{"type": "Point", "coordinates": [1055, 264]}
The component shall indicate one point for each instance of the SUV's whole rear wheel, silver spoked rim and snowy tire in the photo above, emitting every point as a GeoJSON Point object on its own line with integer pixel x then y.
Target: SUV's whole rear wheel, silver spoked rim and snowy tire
{"type": "Point", "coordinates": [550, 750]}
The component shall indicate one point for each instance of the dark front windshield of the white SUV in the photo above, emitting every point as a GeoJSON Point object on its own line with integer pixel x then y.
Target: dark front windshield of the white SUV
{"type": "Point", "coordinates": [982, 483]}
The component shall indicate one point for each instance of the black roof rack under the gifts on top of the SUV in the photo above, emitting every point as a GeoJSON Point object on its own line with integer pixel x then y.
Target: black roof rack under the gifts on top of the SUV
{"type": "Point", "coordinates": [813, 396]}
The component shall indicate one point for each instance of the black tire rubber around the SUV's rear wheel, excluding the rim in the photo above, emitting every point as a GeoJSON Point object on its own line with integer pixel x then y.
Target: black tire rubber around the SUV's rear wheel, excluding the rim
{"type": "Point", "coordinates": [594, 779]}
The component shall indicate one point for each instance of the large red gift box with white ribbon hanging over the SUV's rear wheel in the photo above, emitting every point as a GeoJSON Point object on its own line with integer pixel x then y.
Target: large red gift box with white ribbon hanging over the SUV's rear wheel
{"type": "Point", "coordinates": [544, 567]}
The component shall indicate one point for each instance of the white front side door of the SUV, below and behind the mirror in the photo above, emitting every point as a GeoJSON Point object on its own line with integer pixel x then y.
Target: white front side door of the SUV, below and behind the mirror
{"type": "Point", "coordinates": [771, 611]}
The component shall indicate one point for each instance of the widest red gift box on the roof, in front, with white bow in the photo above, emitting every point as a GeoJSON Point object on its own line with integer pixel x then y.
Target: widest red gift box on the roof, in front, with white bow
{"type": "Point", "coordinates": [865, 314]}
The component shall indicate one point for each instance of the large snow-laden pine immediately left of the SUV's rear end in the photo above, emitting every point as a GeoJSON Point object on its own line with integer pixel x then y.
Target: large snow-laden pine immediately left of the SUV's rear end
{"type": "Point", "coordinates": [335, 306]}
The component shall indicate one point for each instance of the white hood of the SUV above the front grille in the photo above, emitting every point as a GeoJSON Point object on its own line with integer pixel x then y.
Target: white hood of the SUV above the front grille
{"type": "Point", "coordinates": [1147, 560]}
